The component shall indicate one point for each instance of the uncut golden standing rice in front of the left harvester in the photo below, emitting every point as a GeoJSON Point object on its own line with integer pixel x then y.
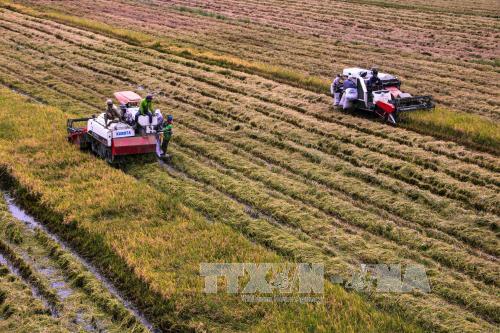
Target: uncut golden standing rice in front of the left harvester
{"type": "Point", "coordinates": [150, 245]}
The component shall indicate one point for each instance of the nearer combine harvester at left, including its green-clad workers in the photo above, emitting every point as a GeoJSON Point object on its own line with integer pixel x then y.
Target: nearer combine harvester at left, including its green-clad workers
{"type": "Point", "coordinates": [133, 129]}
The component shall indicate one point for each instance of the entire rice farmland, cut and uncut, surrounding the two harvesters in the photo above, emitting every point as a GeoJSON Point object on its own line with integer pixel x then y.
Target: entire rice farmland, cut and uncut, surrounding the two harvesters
{"type": "Point", "coordinates": [262, 168]}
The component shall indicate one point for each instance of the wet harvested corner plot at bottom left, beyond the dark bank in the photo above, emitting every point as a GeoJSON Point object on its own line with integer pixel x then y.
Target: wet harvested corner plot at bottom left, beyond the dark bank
{"type": "Point", "coordinates": [46, 288]}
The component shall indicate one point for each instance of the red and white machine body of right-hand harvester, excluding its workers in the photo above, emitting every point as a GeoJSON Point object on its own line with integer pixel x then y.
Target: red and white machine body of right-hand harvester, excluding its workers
{"type": "Point", "coordinates": [385, 99]}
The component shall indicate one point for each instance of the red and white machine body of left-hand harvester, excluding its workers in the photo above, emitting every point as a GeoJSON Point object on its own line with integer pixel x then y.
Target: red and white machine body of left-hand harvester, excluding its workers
{"type": "Point", "coordinates": [121, 138]}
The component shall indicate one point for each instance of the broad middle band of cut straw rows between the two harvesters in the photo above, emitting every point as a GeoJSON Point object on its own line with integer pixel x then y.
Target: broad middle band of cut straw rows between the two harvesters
{"type": "Point", "coordinates": [270, 159]}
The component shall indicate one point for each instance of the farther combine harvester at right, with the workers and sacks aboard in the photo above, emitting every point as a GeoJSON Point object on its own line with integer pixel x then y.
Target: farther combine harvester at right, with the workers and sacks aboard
{"type": "Point", "coordinates": [376, 92]}
